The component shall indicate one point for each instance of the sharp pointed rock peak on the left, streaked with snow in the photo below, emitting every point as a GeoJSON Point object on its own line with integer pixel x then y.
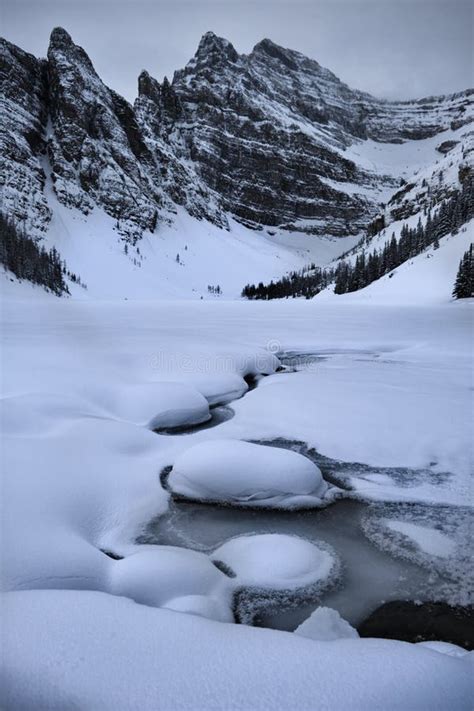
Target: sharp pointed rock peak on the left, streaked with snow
{"type": "Point", "coordinates": [95, 147]}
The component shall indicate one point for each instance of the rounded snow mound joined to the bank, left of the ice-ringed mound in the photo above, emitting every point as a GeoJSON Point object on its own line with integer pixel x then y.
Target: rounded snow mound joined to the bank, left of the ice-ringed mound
{"type": "Point", "coordinates": [180, 579]}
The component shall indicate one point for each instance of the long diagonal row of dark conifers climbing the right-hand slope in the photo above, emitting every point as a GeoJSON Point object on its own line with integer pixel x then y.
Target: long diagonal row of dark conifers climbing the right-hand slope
{"type": "Point", "coordinates": [347, 276]}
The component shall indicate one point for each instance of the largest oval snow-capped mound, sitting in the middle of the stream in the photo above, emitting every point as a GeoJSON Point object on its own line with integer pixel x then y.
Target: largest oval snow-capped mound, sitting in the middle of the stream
{"type": "Point", "coordinates": [246, 474]}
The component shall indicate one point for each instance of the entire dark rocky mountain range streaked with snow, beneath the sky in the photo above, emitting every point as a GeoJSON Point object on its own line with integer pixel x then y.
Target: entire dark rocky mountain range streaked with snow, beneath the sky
{"type": "Point", "coordinates": [266, 138]}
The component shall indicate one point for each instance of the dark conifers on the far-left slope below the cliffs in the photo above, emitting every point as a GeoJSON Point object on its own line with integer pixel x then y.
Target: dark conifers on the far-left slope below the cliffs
{"type": "Point", "coordinates": [27, 259]}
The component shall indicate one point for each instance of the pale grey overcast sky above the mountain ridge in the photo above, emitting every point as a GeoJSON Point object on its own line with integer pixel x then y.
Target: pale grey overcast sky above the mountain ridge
{"type": "Point", "coordinates": [391, 48]}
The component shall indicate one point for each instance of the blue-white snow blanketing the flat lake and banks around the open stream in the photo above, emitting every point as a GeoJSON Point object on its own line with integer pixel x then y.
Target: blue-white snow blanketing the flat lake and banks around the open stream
{"type": "Point", "coordinates": [81, 473]}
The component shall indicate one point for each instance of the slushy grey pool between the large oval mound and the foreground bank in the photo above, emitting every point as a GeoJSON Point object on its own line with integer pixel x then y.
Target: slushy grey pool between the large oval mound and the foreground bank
{"type": "Point", "coordinates": [369, 575]}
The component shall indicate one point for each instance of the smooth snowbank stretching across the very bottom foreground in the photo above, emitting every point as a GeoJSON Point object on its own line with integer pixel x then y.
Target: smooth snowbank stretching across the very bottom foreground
{"type": "Point", "coordinates": [68, 649]}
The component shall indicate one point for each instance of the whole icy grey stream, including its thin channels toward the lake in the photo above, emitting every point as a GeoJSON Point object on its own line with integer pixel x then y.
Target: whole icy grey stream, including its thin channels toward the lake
{"type": "Point", "coordinates": [376, 567]}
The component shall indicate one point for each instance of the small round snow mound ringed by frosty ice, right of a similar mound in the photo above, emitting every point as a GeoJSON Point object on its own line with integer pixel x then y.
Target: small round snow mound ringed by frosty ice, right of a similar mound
{"type": "Point", "coordinates": [275, 561]}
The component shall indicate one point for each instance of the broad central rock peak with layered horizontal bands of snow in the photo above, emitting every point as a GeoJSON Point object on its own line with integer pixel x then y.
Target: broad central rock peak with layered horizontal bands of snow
{"type": "Point", "coordinates": [260, 146]}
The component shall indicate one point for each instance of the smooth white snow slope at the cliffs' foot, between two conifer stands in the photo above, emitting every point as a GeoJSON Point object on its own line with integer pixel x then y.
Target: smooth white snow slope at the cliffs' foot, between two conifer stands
{"type": "Point", "coordinates": [208, 256]}
